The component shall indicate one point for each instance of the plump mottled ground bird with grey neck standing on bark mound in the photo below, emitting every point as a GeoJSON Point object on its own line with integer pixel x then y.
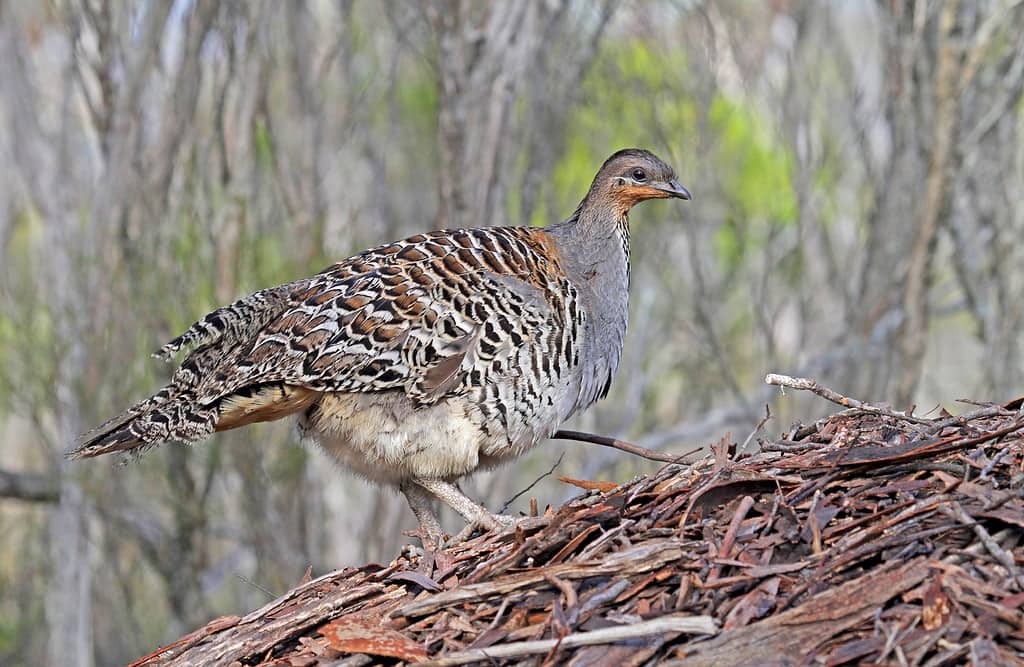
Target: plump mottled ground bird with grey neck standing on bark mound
{"type": "Point", "coordinates": [419, 362]}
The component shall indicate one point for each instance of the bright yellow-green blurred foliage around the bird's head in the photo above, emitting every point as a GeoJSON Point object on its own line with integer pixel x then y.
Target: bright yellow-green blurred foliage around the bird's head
{"type": "Point", "coordinates": [752, 171]}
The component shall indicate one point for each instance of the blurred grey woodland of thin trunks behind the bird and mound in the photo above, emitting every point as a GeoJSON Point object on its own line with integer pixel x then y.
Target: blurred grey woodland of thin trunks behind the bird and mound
{"type": "Point", "coordinates": [858, 171]}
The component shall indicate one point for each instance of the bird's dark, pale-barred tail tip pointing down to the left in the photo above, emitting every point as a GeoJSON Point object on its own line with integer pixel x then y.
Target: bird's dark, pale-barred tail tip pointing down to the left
{"type": "Point", "coordinates": [169, 414]}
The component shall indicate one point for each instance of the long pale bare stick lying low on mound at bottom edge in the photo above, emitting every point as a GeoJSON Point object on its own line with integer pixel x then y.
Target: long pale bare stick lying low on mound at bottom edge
{"type": "Point", "coordinates": [666, 624]}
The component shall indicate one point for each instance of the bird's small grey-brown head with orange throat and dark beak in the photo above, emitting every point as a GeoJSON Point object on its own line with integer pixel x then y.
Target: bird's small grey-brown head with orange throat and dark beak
{"type": "Point", "coordinates": [633, 176]}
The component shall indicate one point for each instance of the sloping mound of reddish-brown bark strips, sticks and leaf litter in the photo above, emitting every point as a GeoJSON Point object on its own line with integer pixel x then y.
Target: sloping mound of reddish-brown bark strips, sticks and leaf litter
{"type": "Point", "coordinates": [863, 538]}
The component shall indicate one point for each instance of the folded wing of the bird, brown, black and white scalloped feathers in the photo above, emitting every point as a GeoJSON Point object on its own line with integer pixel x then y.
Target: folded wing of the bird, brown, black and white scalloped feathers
{"type": "Point", "coordinates": [421, 315]}
